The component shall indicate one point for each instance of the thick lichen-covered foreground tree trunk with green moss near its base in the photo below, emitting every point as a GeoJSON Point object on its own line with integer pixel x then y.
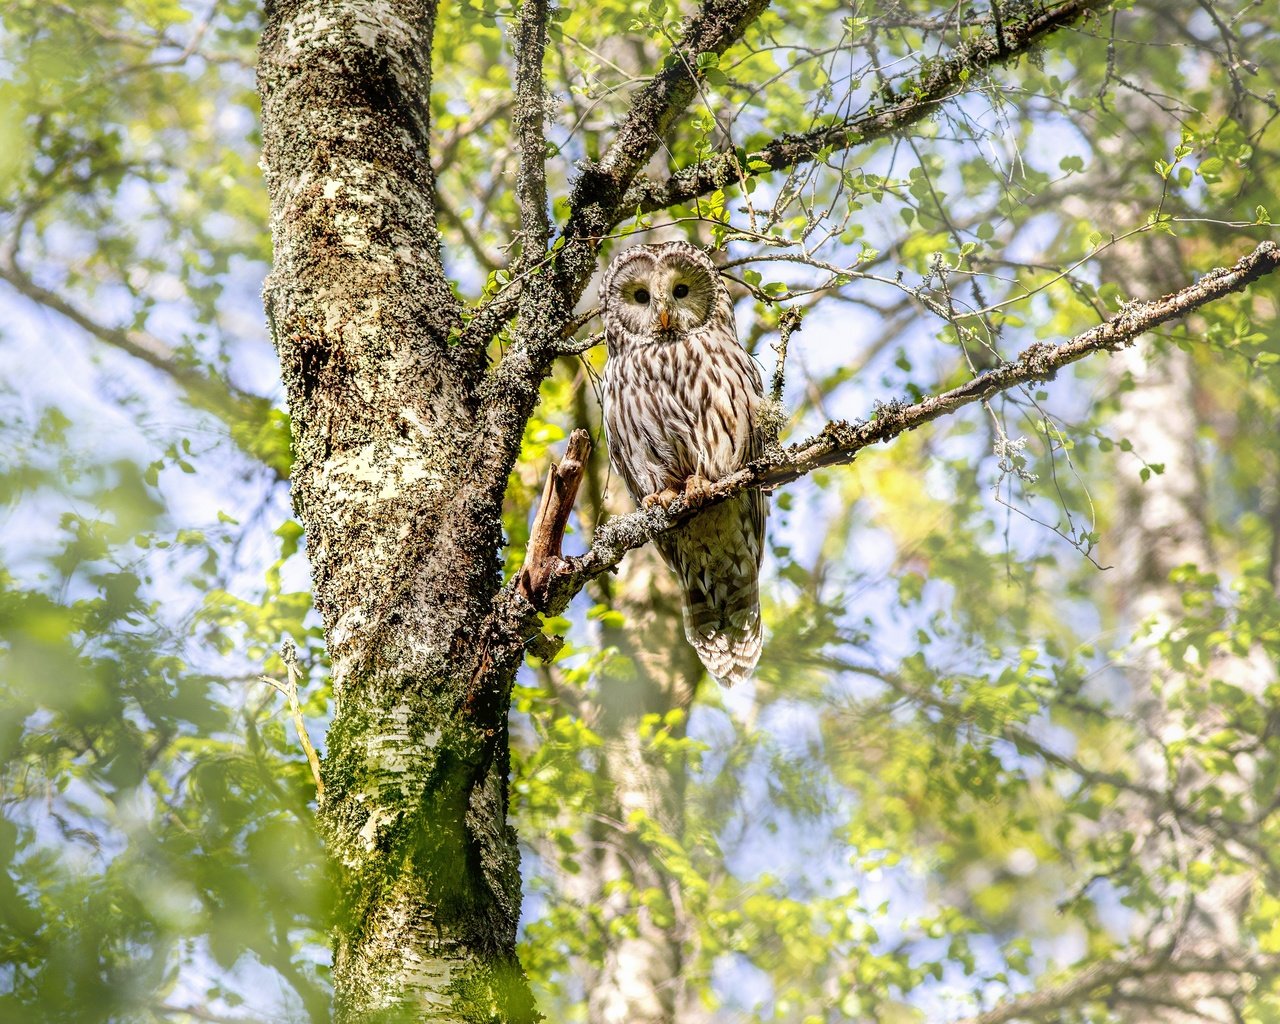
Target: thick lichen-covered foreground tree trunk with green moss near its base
{"type": "Point", "coordinates": [404, 551]}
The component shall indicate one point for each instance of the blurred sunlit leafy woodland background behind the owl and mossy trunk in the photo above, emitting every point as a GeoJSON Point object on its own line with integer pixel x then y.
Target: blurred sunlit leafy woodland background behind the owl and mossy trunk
{"type": "Point", "coordinates": [1012, 753]}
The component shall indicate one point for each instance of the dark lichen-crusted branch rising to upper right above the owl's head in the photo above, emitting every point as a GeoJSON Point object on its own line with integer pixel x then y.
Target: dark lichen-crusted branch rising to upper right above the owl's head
{"type": "Point", "coordinates": [939, 83]}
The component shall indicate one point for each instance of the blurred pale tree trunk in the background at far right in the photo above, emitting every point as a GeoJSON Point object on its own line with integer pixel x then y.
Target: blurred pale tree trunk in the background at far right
{"type": "Point", "coordinates": [1163, 524]}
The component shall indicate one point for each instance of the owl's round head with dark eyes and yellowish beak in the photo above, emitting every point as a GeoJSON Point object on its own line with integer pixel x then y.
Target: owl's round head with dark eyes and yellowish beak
{"type": "Point", "coordinates": [657, 294]}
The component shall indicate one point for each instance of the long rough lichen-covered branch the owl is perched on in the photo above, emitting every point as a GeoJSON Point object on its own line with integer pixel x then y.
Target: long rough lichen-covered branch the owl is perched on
{"type": "Point", "coordinates": [840, 442]}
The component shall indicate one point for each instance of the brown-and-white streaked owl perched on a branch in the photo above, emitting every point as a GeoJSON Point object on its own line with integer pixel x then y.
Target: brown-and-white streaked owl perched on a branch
{"type": "Point", "coordinates": [682, 409]}
